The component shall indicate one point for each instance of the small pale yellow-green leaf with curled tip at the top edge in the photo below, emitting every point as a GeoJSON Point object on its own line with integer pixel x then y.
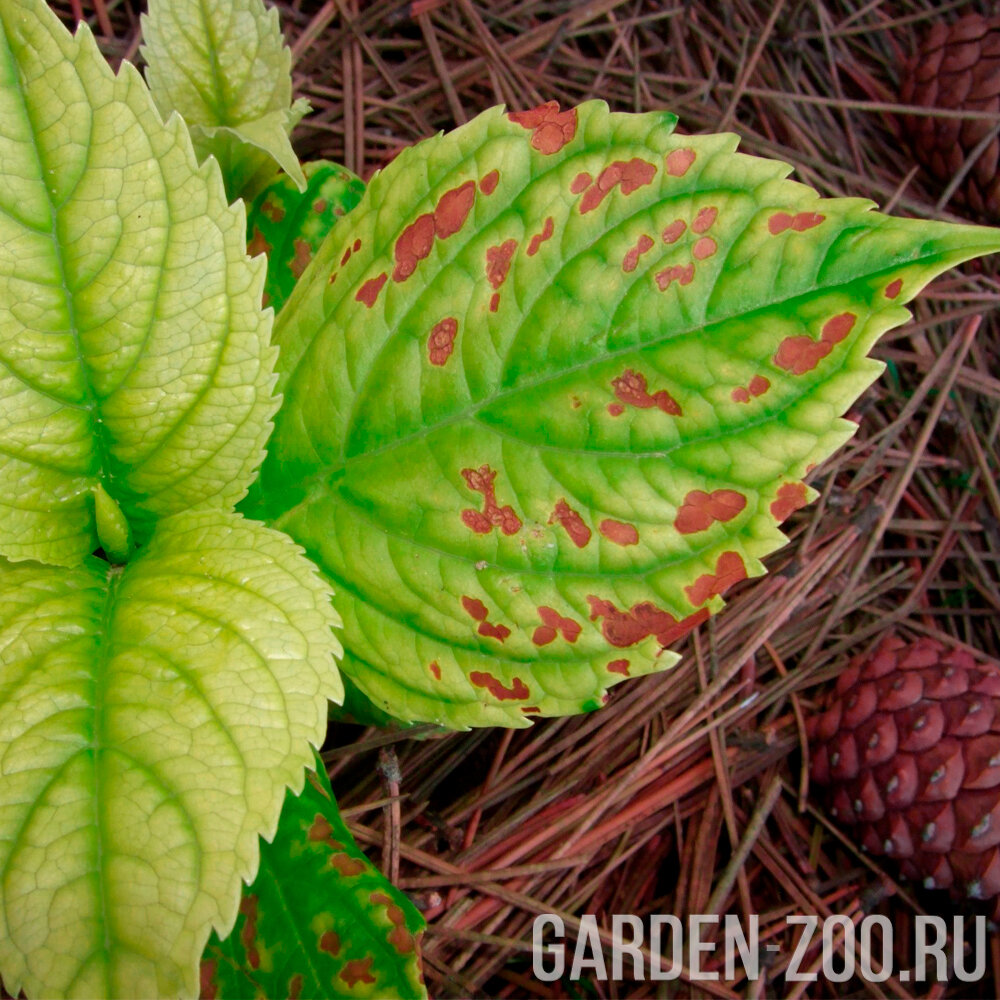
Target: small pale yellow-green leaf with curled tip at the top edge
{"type": "Point", "coordinates": [226, 69]}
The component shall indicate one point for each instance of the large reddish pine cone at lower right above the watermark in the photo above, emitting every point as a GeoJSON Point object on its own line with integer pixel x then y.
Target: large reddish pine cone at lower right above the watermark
{"type": "Point", "coordinates": [910, 745]}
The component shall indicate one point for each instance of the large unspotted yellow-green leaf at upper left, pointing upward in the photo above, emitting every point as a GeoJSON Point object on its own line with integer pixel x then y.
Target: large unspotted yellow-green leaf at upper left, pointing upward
{"type": "Point", "coordinates": [134, 357]}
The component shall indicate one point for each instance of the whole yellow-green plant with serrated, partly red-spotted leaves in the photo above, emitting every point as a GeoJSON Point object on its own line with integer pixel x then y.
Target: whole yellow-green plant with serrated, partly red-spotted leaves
{"type": "Point", "coordinates": [531, 403]}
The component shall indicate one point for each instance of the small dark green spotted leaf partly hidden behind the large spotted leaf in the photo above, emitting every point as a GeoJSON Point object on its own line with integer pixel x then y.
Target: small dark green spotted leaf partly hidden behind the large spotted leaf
{"type": "Point", "coordinates": [289, 225]}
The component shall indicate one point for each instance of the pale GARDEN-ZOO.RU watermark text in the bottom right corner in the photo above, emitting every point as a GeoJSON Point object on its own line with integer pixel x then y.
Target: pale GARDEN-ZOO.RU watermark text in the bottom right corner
{"type": "Point", "coordinates": [865, 949]}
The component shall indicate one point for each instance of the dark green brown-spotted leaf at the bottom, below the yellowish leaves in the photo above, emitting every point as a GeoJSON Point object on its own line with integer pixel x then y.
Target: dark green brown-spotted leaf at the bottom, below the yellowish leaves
{"type": "Point", "coordinates": [319, 921]}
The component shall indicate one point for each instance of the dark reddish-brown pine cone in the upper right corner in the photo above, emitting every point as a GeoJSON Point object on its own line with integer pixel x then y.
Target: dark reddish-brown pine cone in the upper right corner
{"type": "Point", "coordinates": [958, 68]}
